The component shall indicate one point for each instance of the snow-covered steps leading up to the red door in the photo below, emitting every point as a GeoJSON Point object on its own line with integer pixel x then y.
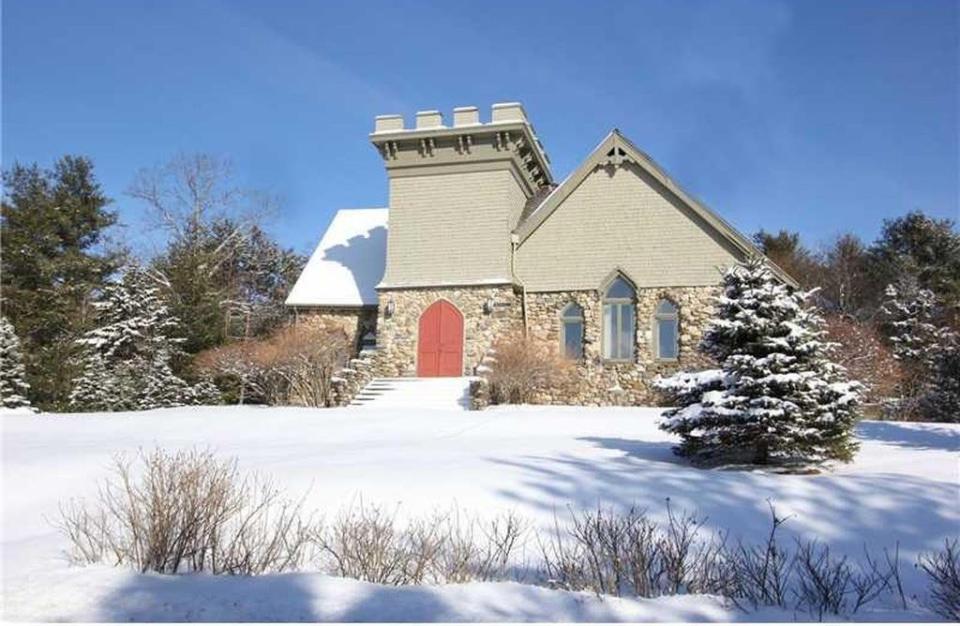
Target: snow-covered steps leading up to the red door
{"type": "Point", "coordinates": [415, 393]}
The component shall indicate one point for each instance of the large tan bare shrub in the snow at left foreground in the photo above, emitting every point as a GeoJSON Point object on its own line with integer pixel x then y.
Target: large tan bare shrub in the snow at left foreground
{"type": "Point", "coordinates": [187, 511]}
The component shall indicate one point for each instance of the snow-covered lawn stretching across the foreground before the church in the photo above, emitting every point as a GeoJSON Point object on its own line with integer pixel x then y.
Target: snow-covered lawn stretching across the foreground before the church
{"type": "Point", "coordinates": [903, 487]}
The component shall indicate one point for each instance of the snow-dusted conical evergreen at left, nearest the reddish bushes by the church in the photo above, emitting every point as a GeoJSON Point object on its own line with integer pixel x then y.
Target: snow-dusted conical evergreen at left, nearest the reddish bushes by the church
{"type": "Point", "coordinates": [126, 359]}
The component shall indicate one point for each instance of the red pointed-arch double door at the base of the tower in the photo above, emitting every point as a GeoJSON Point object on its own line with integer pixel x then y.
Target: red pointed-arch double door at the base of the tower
{"type": "Point", "coordinates": [440, 342]}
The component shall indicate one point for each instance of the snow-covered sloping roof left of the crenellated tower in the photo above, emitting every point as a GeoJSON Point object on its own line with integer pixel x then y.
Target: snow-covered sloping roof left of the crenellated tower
{"type": "Point", "coordinates": [347, 264]}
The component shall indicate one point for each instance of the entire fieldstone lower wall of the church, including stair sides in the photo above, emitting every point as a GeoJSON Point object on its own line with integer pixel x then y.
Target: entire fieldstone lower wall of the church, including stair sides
{"type": "Point", "coordinates": [597, 382]}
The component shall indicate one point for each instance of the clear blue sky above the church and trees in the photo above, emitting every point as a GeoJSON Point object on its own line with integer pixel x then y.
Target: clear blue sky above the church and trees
{"type": "Point", "coordinates": [815, 116]}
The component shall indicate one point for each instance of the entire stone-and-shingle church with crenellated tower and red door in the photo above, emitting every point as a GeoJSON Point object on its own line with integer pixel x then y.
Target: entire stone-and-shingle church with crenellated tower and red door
{"type": "Point", "coordinates": [616, 266]}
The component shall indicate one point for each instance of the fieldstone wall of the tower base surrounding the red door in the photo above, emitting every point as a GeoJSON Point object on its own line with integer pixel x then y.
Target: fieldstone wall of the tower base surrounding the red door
{"type": "Point", "coordinates": [397, 333]}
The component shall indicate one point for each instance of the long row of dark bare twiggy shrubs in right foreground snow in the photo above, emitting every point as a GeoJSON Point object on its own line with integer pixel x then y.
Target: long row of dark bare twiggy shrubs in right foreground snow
{"type": "Point", "coordinates": [629, 554]}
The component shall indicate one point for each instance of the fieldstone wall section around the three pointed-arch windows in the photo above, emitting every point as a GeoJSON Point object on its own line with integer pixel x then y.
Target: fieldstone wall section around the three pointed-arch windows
{"type": "Point", "coordinates": [599, 382]}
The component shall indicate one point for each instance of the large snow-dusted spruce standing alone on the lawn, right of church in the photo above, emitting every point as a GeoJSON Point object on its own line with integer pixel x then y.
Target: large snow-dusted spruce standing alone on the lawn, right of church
{"type": "Point", "coordinates": [776, 397]}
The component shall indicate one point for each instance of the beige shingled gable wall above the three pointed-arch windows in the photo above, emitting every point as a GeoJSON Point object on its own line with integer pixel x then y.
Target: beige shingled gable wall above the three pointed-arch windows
{"type": "Point", "coordinates": [622, 218]}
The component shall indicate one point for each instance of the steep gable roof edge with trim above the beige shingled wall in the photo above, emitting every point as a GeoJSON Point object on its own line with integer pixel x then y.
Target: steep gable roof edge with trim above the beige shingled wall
{"type": "Point", "coordinates": [613, 151]}
